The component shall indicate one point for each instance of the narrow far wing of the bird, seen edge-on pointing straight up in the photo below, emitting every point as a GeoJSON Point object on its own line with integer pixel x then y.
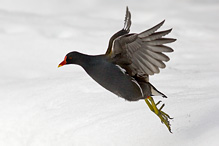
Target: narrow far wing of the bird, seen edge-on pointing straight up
{"type": "Point", "coordinates": [124, 31]}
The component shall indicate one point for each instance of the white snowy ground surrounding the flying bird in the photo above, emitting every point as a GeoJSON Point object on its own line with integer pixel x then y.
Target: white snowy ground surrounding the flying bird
{"type": "Point", "coordinates": [42, 105]}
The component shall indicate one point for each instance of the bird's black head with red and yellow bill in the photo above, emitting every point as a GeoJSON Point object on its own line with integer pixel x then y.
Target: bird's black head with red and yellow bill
{"type": "Point", "coordinates": [70, 58]}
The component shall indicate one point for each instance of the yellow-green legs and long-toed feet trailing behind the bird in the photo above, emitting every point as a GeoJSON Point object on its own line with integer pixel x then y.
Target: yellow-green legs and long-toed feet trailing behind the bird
{"type": "Point", "coordinates": [164, 117]}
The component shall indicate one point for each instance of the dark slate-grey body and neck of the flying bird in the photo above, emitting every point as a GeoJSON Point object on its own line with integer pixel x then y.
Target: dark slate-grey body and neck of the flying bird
{"type": "Point", "coordinates": [110, 76]}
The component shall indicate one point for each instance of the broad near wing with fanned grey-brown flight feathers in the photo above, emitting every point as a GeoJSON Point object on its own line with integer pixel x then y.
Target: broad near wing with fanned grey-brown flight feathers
{"type": "Point", "coordinates": [142, 54]}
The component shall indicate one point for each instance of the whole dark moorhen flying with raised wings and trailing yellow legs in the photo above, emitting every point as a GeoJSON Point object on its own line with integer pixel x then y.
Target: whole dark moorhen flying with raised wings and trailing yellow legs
{"type": "Point", "coordinates": [128, 62]}
